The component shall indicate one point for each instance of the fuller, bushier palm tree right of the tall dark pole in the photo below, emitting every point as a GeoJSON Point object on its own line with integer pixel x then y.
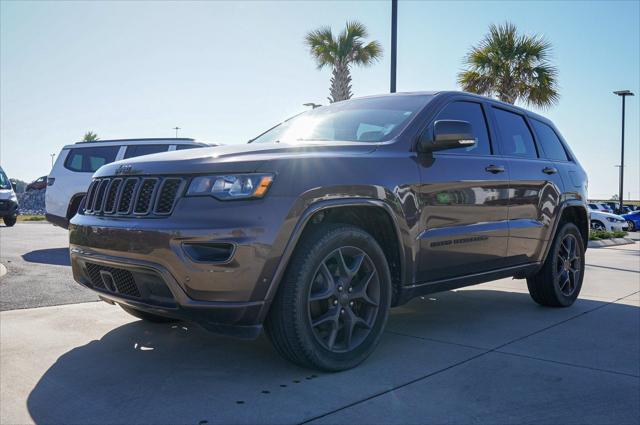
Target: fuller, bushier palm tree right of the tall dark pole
{"type": "Point", "coordinates": [512, 67]}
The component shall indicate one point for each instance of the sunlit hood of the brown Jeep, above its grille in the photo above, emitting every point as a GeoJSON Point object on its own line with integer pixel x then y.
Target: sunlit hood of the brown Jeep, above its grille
{"type": "Point", "coordinates": [242, 158]}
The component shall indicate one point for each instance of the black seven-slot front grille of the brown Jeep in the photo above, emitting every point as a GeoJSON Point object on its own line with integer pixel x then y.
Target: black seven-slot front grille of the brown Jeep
{"type": "Point", "coordinates": [139, 196]}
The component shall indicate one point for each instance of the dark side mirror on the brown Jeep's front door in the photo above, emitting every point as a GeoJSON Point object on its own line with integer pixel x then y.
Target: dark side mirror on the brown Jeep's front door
{"type": "Point", "coordinates": [446, 134]}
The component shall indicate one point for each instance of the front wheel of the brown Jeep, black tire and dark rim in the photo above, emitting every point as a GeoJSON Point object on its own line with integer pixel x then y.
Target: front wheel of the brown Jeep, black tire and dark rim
{"type": "Point", "coordinates": [320, 318]}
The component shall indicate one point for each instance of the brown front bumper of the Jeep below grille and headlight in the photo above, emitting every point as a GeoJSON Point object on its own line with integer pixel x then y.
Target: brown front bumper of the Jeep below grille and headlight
{"type": "Point", "coordinates": [152, 271]}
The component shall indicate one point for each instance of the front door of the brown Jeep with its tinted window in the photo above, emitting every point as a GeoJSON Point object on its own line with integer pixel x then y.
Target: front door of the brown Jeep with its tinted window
{"type": "Point", "coordinates": [463, 197]}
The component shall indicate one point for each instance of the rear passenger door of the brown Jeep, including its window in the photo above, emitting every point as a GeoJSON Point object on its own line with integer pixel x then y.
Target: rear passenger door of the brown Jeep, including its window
{"type": "Point", "coordinates": [534, 190]}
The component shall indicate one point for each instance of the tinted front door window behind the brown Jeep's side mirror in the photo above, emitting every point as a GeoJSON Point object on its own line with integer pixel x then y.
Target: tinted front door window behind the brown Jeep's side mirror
{"type": "Point", "coordinates": [472, 113]}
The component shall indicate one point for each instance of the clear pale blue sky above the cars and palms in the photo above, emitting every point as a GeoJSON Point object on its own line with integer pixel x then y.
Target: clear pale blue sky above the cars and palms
{"type": "Point", "coordinates": [226, 71]}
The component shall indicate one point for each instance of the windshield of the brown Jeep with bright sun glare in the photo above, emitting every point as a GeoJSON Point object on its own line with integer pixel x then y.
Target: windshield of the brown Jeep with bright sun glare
{"type": "Point", "coordinates": [375, 119]}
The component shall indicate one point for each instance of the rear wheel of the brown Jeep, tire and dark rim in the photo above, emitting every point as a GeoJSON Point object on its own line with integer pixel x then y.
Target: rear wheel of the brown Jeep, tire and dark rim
{"type": "Point", "coordinates": [558, 282]}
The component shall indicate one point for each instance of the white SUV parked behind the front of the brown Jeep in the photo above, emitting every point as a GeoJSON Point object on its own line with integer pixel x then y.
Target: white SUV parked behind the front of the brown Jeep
{"type": "Point", "coordinates": [71, 174]}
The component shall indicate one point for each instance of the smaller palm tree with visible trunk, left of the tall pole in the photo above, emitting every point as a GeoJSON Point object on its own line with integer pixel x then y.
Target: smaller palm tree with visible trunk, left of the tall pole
{"type": "Point", "coordinates": [340, 52]}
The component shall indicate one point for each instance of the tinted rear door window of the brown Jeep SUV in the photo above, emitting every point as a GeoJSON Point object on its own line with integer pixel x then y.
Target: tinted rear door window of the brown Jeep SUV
{"type": "Point", "coordinates": [515, 135]}
